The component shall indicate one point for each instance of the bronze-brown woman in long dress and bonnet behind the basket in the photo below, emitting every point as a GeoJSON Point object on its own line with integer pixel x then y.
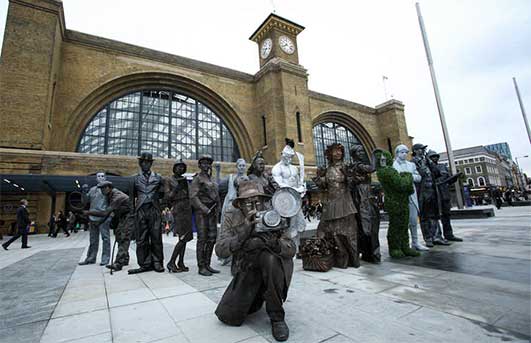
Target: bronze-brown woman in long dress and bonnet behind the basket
{"type": "Point", "coordinates": [338, 221]}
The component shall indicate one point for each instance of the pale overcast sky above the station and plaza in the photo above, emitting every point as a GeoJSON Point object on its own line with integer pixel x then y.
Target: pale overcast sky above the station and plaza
{"type": "Point", "coordinates": [347, 46]}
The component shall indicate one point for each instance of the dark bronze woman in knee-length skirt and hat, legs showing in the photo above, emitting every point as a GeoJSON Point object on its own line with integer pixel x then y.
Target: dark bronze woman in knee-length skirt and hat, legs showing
{"type": "Point", "coordinates": [177, 197]}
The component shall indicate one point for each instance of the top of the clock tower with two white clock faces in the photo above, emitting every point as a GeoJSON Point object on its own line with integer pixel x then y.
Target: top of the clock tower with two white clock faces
{"type": "Point", "coordinates": [277, 37]}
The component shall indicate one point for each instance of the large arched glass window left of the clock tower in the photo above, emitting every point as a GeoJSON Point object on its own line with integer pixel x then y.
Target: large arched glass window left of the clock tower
{"type": "Point", "coordinates": [167, 124]}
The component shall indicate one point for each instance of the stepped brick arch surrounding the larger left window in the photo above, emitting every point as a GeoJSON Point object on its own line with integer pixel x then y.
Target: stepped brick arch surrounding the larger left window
{"type": "Point", "coordinates": [124, 85]}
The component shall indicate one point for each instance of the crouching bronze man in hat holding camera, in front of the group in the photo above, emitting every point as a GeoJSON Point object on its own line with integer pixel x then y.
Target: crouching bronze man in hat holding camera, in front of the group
{"type": "Point", "coordinates": [262, 263]}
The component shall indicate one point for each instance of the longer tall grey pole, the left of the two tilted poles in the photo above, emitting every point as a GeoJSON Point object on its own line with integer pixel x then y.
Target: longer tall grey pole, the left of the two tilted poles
{"type": "Point", "coordinates": [446, 136]}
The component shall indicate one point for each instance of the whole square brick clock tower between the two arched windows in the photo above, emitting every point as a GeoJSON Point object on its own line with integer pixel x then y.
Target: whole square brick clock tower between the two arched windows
{"type": "Point", "coordinates": [282, 89]}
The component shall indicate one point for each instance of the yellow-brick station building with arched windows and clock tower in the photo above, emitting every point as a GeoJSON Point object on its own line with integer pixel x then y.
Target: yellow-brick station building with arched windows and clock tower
{"type": "Point", "coordinates": [73, 103]}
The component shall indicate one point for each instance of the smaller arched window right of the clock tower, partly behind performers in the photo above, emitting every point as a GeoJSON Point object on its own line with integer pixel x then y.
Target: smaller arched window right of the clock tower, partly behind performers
{"type": "Point", "coordinates": [325, 134]}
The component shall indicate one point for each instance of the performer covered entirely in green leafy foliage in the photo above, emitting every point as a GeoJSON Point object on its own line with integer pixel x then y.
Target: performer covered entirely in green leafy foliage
{"type": "Point", "coordinates": [397, 186]}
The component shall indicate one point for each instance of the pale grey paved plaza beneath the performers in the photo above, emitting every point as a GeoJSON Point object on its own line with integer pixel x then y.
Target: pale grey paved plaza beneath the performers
{"type": "Point", "coordinates": [475, 291]}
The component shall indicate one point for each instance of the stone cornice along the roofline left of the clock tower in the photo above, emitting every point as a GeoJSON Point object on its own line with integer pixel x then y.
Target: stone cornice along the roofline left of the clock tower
{"type": "Point", "coordinates": [137, 51]}
